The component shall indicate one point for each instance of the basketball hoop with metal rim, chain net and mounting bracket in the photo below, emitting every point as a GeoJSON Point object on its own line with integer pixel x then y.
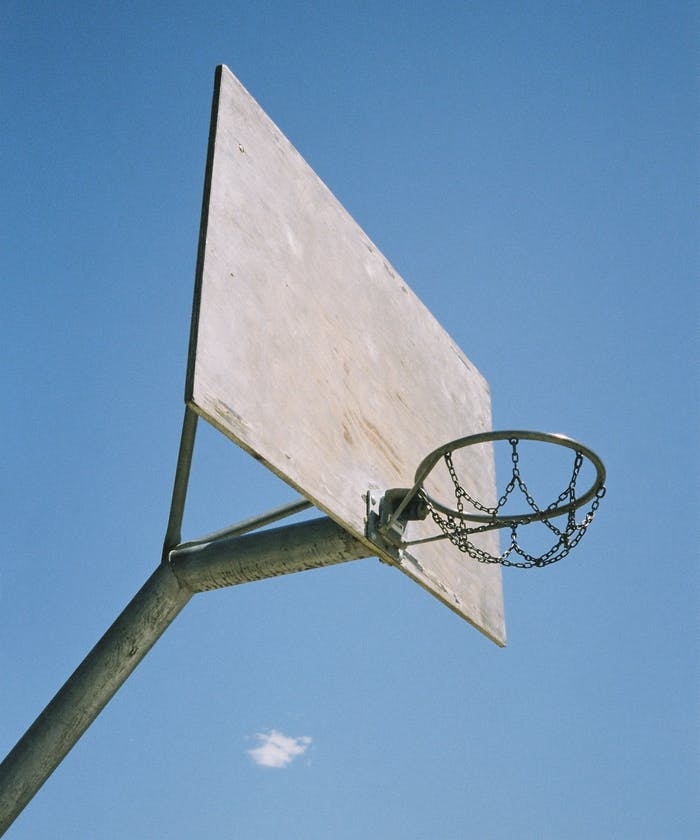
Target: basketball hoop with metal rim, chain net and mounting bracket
{"type": "Point", "coordinates": [470, 516]}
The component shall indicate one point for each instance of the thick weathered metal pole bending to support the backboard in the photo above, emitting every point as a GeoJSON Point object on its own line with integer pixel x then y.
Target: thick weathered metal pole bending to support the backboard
{"type": "Point", "coordinates": [222, 562]}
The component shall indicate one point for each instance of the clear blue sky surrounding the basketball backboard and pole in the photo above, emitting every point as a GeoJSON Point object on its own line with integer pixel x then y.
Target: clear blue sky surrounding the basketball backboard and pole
{"type": "Point", "coordinates": [532, 171]}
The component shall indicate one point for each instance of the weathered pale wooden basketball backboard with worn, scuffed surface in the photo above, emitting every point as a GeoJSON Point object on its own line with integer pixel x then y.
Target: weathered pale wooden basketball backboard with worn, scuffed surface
{"type": "Point", "coordinates": [310, 352]}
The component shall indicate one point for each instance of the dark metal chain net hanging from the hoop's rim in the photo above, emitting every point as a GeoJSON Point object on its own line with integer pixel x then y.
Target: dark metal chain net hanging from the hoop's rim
{"type": "Point", "coordinates": [566, 535]}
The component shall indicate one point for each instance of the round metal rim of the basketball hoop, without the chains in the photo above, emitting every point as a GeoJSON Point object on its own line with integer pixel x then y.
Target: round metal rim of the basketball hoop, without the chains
{"type": "Point", "coordinates": [428, 463]}
